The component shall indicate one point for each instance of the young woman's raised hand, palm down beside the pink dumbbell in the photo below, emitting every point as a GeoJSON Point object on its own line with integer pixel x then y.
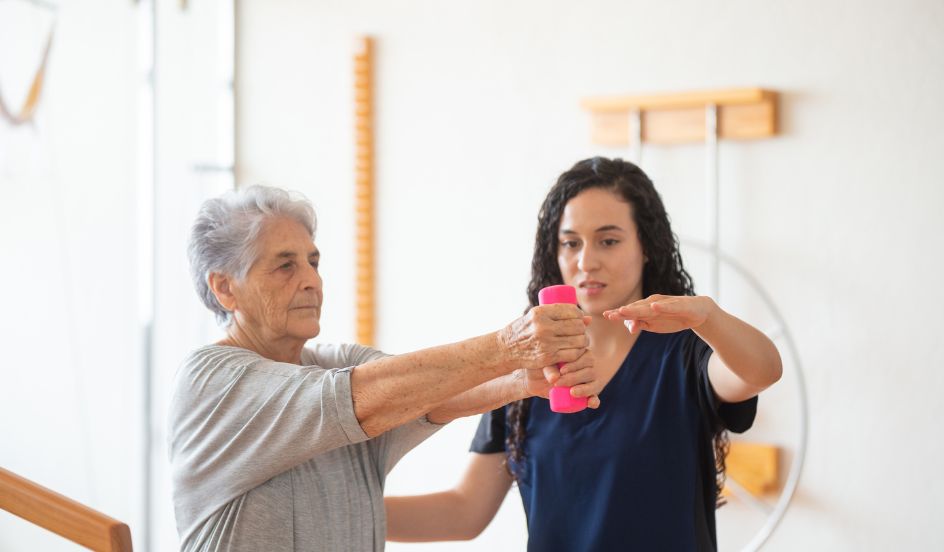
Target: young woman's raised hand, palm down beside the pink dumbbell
{"type": "Point", "coordinates": [664, 313]}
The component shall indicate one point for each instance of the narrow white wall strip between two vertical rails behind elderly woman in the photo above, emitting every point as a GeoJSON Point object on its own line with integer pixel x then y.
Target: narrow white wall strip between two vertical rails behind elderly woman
{"type": "Point", "coordinates": [194, 128]}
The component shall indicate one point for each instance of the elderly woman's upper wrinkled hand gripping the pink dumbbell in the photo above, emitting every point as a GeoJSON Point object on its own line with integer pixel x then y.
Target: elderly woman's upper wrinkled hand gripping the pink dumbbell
{"type": "Point", "coordinates": [545, 336]}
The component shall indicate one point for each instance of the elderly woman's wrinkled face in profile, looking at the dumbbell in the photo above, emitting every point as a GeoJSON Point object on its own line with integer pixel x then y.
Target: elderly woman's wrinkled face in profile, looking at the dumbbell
{"type": "Point", "coordinates": [281, 295]}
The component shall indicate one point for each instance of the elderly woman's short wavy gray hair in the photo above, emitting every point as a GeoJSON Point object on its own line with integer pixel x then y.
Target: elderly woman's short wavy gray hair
{"type": "Point", "coordinates": [224, 235]}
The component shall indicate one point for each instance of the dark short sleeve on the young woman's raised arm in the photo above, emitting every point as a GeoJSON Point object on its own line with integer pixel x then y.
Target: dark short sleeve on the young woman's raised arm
{"type": "Point", "coordinates": [736, 417]}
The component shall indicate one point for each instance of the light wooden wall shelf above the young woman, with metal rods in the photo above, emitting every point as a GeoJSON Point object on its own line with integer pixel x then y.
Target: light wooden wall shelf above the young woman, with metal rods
{"type": "Point", "coordinates": [676, 118]}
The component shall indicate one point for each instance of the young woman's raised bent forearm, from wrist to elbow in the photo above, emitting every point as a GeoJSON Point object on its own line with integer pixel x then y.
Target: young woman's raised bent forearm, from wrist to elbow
{"type": "Point", "coordinates": [744, 350]}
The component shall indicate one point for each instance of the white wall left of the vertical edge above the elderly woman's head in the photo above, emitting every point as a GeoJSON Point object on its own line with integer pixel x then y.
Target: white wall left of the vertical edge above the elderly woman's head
{"type": "Point", "coordinates": [93, 242]}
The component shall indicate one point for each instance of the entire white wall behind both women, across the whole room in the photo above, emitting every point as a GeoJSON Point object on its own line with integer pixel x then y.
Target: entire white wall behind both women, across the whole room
{"type": "Point", "coordinates": [478, 112]}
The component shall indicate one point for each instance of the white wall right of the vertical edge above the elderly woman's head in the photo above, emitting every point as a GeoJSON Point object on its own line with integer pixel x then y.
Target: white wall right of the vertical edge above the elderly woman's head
{"type": "Point", "coordinates": [478, 111]}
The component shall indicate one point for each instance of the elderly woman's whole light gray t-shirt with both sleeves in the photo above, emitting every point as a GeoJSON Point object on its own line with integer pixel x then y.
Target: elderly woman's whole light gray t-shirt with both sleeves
{"type": "Point", "coordinates": [267, 455]}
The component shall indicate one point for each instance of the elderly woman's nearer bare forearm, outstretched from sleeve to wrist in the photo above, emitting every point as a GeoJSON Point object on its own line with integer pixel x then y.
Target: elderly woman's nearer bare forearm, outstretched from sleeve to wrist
{"type": "Point", "coordinates": [395, 390]}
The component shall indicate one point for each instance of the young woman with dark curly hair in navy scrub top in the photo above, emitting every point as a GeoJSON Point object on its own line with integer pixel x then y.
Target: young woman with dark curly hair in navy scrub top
{"type": "Point", "coordinates": [642, 469]}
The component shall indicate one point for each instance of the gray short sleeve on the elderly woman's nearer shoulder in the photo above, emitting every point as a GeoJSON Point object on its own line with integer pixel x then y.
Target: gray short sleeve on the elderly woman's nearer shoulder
{"type": "Point", "coordinates": [237, 419]}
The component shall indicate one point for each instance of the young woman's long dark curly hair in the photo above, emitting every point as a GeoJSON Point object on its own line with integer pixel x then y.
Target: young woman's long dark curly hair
{"type": "Point", "coordinates": [663, 273]}
